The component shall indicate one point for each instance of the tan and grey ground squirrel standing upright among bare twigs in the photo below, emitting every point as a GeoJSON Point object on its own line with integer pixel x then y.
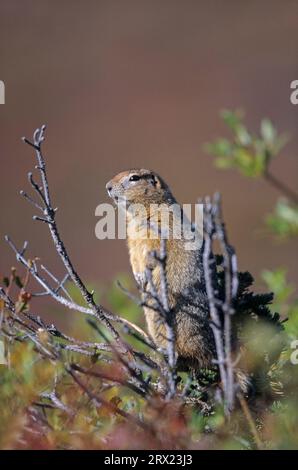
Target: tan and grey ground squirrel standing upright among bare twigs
{"type": "Point", "coordinates": [194, 341]}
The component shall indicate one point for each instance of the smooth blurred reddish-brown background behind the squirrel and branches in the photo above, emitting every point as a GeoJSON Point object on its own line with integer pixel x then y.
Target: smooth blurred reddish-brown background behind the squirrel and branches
{"type": "Point", "coordinates": [140, 83]}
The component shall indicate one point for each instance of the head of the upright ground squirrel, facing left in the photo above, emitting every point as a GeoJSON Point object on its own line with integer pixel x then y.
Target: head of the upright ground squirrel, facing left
{"type": "Point", "coordinates": [139, 186]}
